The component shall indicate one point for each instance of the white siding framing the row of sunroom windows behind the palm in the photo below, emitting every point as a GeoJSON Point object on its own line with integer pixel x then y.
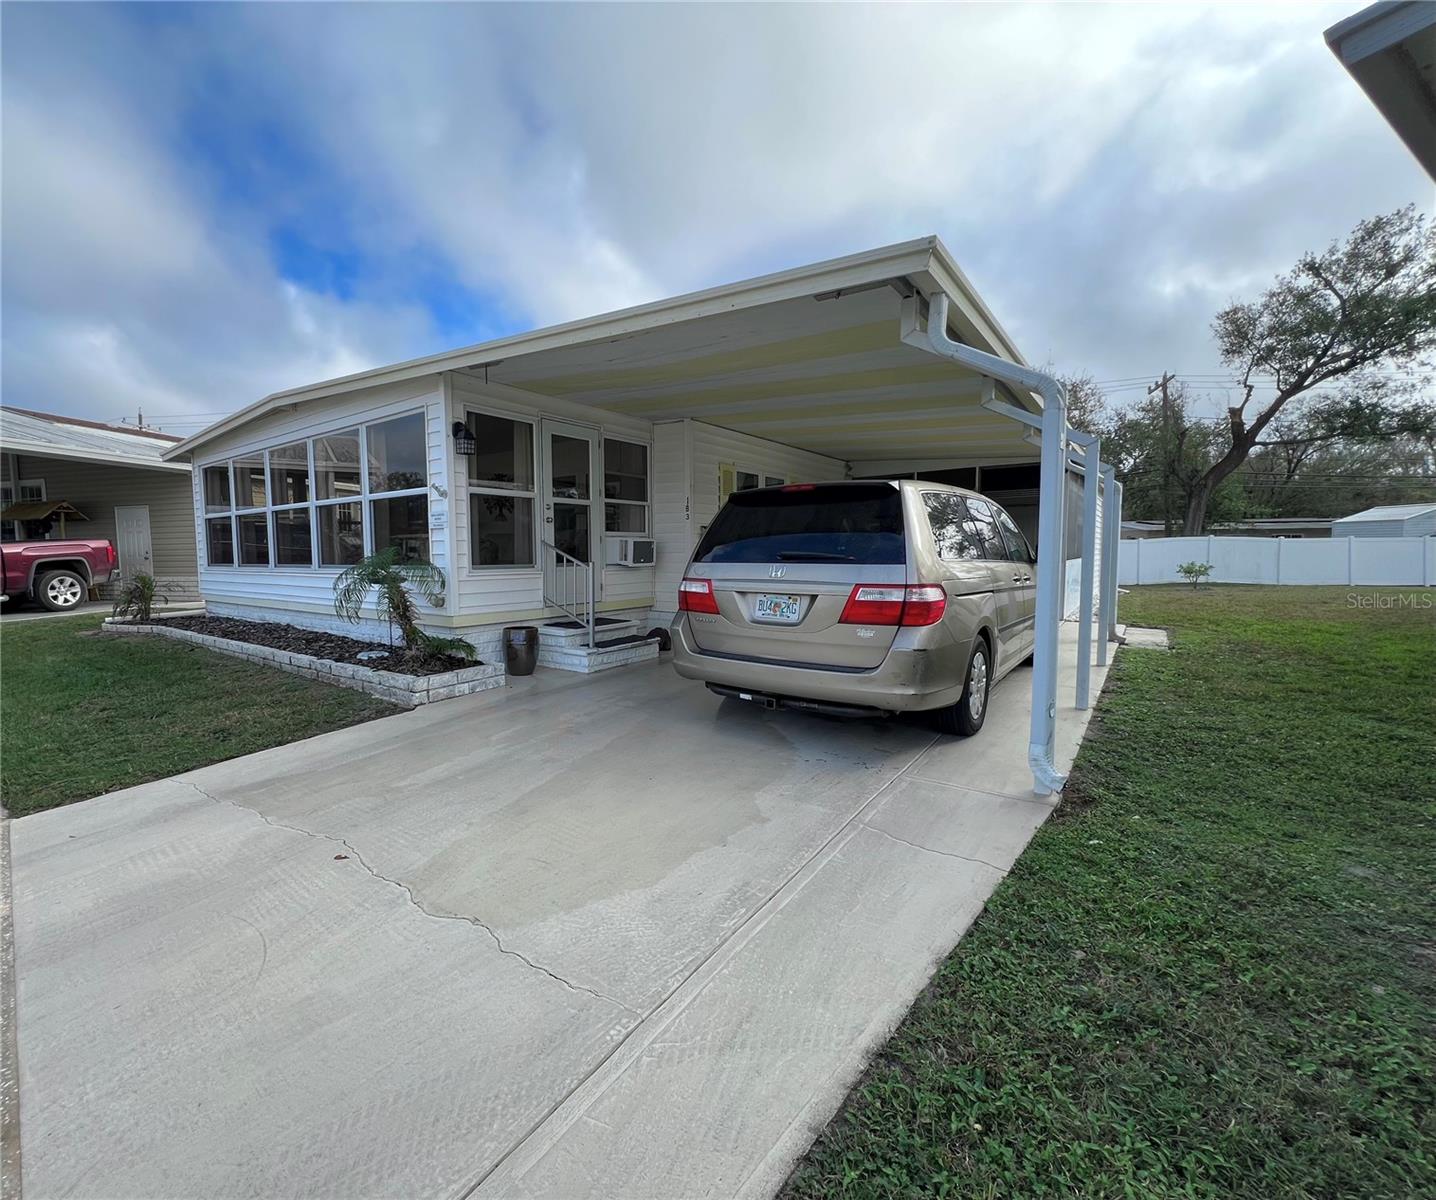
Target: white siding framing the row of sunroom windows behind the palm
{"type": "Point", "coordinates": [308, 589]}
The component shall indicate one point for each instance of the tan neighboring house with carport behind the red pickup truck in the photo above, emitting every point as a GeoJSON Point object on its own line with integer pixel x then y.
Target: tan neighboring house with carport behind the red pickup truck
{"type": "Point", "coordinates": [116, 484]}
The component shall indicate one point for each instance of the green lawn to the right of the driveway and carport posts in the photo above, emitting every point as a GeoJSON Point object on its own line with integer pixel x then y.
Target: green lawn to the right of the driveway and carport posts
{"type": "Point", "coordinates": [1214, 971]}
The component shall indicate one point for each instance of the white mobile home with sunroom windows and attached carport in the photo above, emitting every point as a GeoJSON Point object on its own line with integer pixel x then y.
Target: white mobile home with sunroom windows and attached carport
{"type": "Point", "coordinates": [568, 473]}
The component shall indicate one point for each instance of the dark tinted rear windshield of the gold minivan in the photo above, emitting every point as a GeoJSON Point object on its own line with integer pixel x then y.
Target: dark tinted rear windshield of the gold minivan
{"type": "Point", "coordinates": [828, 523]}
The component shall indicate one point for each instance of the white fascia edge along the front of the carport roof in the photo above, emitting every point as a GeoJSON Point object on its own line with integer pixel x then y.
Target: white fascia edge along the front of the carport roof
{"type": "Point", "coordinates": [924, 262]}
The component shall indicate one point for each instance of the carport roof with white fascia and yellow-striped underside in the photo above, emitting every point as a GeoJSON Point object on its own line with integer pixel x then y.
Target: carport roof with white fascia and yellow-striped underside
{"type": "Point", "coordinates": [812, 358]}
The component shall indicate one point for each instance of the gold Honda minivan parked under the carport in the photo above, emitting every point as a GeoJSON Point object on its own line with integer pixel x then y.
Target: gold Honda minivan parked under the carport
{"type": "Point", "coordinates": [859, 598]}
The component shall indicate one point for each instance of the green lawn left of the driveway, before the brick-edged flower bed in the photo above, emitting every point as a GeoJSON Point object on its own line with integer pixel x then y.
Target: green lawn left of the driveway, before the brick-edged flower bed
{"type": "Point", "coordinates": [84, 713]}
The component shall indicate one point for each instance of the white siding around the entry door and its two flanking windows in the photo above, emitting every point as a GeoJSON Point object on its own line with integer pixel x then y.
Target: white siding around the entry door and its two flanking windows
{"type": "Point", "coordinates": [518, 595]}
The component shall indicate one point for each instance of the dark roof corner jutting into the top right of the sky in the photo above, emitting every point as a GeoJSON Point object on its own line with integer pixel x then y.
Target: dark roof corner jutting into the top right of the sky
{"type": "Point", "coordinates": [1391, 51]}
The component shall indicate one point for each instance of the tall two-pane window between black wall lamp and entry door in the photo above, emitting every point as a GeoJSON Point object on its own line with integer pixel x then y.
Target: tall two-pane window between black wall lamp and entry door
{"type": "Point", "coordinates": [502, 493]}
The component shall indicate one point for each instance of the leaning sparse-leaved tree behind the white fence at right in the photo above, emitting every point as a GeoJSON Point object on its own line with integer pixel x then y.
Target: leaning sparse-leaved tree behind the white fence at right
{"type": "Point", "coordinates": [1332, 324]}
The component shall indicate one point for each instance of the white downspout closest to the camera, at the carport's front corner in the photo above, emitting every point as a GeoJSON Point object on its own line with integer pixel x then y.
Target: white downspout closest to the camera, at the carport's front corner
{"type": "Point", "coordinates": [1050, 565]}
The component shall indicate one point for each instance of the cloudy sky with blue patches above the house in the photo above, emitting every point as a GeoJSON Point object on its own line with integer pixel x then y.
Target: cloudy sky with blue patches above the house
{"type": "Point", "coordinates": [205, 205]}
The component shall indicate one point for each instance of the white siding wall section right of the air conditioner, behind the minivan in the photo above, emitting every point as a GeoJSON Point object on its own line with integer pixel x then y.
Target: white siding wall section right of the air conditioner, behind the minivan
{"type": "Point", "coordinates": [704, 449]}
